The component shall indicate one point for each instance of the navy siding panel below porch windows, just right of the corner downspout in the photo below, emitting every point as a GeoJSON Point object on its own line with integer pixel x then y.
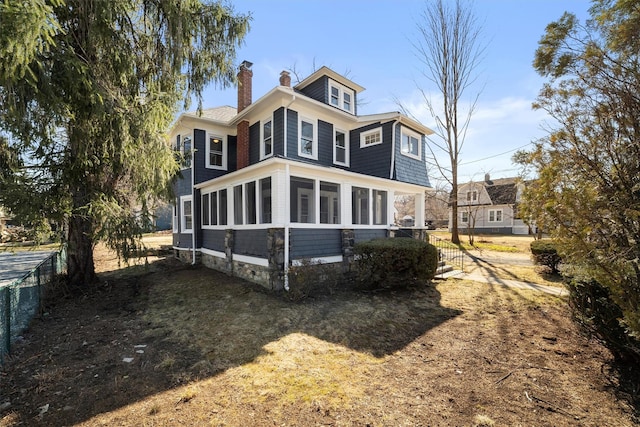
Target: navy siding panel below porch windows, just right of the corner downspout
{"type": "Point", "coordinates": [313, 243]}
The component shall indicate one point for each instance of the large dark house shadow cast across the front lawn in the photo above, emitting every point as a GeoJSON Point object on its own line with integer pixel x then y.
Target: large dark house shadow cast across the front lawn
{"type": "Point", "coordinates": [184, 323]}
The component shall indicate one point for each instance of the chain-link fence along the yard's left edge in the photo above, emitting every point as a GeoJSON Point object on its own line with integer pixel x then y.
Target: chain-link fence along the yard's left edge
{"type": "Point", "coordinates": [21, 300]}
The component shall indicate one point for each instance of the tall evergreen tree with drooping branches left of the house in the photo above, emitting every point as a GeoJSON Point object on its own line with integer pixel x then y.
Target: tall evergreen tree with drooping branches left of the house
{"type": "Point", "coordinates": [87, 92]}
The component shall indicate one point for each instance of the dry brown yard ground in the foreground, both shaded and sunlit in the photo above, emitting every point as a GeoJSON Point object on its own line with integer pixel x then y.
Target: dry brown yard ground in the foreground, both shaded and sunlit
{"type": "Point", "coordinates": [164, 344]}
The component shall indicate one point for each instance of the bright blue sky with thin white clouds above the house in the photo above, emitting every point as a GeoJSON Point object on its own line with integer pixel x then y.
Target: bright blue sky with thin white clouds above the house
{"type": "Point", "coordinates": [370, 42]}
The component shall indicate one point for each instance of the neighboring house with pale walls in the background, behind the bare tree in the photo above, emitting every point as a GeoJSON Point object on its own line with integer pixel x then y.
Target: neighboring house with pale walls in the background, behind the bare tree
{"type": "Point", "coordinates": [490, 206]}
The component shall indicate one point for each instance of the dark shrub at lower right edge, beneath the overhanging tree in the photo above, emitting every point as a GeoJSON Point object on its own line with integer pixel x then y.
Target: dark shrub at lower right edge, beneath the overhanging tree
{"type": "Point", "coordinates": [595, 310]}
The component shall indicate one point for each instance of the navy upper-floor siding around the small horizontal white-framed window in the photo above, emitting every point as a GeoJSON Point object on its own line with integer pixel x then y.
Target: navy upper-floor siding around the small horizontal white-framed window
{"type": "Point", "coordinates": [376, 159]}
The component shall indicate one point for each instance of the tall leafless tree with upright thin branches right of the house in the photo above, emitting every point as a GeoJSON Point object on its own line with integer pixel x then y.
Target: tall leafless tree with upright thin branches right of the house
{"type": "Point", "coordinates": [449, 49]}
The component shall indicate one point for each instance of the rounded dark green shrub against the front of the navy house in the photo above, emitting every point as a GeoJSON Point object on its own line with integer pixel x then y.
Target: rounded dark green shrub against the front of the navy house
{"type": "Point", "coordinates": [394, 263]}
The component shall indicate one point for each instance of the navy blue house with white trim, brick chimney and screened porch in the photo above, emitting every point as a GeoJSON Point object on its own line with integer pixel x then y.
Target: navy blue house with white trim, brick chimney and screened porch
{"type": "Point", "coordinates": [296, 175]}
